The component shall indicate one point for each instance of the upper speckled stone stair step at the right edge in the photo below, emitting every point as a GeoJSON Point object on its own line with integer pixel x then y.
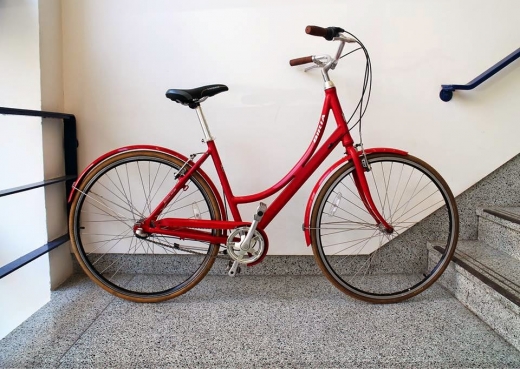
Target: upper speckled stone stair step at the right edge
{"type": "Point", "coordinates": [499, 227]}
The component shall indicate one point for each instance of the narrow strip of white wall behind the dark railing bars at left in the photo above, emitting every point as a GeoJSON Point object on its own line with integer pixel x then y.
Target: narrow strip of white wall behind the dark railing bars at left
{"type": "Point", "coordinates": [22, 216]}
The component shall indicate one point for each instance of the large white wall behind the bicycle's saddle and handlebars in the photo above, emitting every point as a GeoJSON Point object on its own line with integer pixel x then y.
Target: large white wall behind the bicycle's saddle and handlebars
{"type": "Point", "coordinates": [121, 56]}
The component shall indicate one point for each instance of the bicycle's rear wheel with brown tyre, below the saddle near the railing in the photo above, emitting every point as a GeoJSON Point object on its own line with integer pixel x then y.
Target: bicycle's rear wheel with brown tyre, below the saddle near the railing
{"type": "Point", "coordinates": [111, 199]}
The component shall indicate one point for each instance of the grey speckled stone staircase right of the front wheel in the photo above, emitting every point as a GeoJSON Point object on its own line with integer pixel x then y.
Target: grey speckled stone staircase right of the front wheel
{"type": "Point", "coordinates": [485, 273]}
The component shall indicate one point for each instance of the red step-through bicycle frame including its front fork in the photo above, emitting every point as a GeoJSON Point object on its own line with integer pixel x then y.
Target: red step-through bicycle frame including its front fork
{"type": "Point", "coordinates": [288, 185]}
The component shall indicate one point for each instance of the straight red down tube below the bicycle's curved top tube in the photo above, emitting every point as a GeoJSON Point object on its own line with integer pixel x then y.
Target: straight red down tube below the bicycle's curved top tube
{"type": "Point", "coordinates": [301, 176]}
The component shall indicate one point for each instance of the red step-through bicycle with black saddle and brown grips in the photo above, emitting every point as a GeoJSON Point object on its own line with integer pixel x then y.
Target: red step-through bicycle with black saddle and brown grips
{"type": "Point", "coordinates": [147, 223]}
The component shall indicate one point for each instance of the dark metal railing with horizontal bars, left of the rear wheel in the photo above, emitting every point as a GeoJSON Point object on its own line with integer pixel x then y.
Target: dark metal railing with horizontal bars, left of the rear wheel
{"type": "Point", "coordinates": [70, 145]}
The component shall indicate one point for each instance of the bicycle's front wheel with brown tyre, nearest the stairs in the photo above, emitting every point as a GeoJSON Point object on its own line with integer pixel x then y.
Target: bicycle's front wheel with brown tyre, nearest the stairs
{"type": "Point", "coordinates": [358, 256]}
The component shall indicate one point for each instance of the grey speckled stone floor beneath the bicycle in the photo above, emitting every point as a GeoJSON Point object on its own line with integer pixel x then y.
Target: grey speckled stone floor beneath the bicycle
{"type": "Point", "coordinates": [253, 322]}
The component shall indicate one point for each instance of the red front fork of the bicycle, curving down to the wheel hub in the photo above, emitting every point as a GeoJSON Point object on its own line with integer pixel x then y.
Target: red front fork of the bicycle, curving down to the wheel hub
{"type": "Point", "coordinates": [363, 189]}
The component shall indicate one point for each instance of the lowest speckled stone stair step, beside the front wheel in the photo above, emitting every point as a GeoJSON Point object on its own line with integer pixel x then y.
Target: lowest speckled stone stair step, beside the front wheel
{"type": "Point", "coordinates": [487, 281]}
